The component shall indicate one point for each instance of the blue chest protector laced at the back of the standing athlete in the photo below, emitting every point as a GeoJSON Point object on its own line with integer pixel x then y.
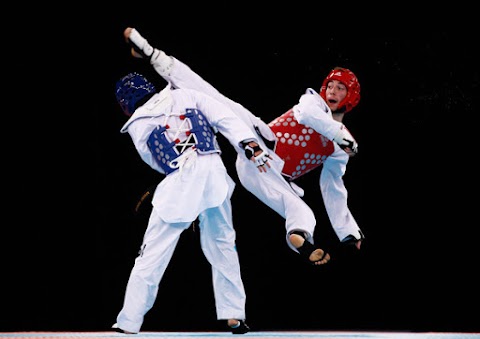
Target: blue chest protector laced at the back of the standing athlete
{"type": "Point", "coordinates": [200, 136]}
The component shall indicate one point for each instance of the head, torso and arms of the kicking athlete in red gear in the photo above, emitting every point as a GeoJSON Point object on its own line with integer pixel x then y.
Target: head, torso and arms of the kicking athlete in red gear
{"type": "Point", "coordinates": [308, 135]}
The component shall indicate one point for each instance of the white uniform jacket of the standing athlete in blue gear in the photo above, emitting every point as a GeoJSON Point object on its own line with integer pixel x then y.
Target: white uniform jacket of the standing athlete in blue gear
{"type": "Point", "coordinates": [202, 181]}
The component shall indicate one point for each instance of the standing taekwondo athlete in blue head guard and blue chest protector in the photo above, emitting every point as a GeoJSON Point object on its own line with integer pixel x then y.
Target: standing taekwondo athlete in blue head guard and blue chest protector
{"type": "Point", "coordinates": [174, 133]}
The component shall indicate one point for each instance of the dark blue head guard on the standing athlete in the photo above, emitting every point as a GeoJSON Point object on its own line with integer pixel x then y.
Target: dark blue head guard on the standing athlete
{"type": "Point", "coordinates": [131, 89]}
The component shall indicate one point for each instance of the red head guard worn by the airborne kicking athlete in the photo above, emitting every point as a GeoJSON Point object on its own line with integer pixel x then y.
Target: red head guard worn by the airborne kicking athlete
{"type": "Point", "coordinates": [346, 77]}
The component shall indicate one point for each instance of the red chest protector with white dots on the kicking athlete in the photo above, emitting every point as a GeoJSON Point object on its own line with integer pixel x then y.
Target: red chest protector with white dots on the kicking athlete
{"type": "Point", "coordinates": [298, 145]}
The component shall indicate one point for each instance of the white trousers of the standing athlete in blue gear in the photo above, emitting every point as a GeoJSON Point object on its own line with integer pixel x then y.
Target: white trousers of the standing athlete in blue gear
{"type": "Point", "coordinates": [217, 239]}
